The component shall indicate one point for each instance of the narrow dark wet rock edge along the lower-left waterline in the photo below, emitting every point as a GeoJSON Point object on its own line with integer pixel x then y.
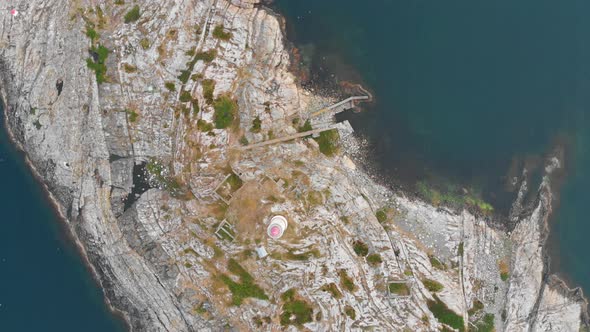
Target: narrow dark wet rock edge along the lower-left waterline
{"type": "Point", "coordinates": [58, 211]}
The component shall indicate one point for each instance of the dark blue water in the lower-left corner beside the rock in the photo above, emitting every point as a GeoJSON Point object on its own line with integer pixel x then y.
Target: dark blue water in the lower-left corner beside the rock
{"type": "Point", "coordinates": [44, 284]}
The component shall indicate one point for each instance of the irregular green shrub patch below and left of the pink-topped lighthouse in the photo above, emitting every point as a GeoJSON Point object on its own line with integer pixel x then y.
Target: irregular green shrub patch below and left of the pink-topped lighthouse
{"type": "Point", "coordinates": [245, 288]}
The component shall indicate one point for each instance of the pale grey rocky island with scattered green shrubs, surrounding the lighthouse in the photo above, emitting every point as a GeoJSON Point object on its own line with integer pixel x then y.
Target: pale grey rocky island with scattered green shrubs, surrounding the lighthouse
{"type": "Point", "coordinates": [169, 133]}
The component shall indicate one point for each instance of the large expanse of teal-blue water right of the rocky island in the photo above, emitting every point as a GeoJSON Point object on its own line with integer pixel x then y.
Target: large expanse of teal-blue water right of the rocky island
{"type": "Point", "coordinates": [461, 89]}
